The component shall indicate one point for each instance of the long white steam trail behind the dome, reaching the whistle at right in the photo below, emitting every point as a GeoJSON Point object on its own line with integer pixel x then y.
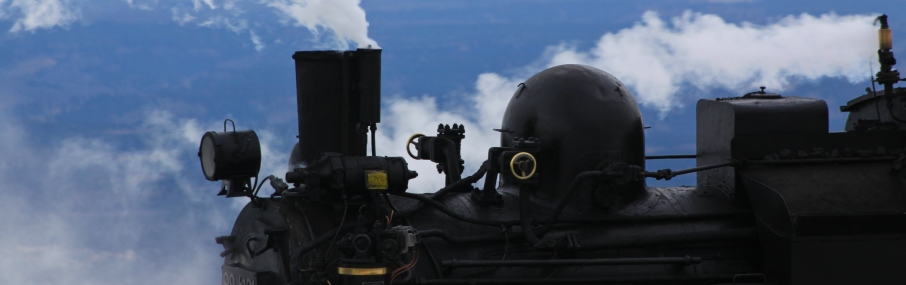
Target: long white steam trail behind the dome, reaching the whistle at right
{"type": "Point", "coordinates": [658, 60]}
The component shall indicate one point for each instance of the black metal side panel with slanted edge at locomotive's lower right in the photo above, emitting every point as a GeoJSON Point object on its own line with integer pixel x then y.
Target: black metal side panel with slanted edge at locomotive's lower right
{"type": "Point", "coordinates": [798, 205]}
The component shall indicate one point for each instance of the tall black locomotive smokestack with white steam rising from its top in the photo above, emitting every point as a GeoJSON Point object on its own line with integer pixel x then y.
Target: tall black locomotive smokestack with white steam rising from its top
{"type": "Point", "coordinates": [338, 95]}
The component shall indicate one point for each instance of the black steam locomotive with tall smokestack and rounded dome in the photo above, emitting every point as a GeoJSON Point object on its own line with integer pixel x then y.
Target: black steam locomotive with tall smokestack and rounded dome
{"type": "Point", "coordinates": [778, 200]}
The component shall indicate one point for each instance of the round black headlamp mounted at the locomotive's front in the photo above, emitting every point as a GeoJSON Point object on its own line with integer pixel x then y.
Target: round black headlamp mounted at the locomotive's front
{"type": "Point", "coordinates": [232, 157]}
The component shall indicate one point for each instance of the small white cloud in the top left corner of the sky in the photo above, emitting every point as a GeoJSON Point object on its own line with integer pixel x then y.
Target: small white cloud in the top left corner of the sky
{"type": "Point", "coordinates": [39, 14]}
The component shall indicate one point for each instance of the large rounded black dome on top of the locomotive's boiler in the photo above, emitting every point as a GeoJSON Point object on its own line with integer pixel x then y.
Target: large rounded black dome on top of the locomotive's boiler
{"type": "Point", "coordinates": [583, 117]}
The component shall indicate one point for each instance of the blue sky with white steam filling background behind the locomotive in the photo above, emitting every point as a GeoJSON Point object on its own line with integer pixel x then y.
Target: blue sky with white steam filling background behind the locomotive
{"type": "Point", "coordinates": [103, 103]}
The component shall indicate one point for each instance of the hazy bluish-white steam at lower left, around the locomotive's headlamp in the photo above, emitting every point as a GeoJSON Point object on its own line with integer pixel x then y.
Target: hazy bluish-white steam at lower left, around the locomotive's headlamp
{"type": "Point", "coordinates": [88, 212]}
